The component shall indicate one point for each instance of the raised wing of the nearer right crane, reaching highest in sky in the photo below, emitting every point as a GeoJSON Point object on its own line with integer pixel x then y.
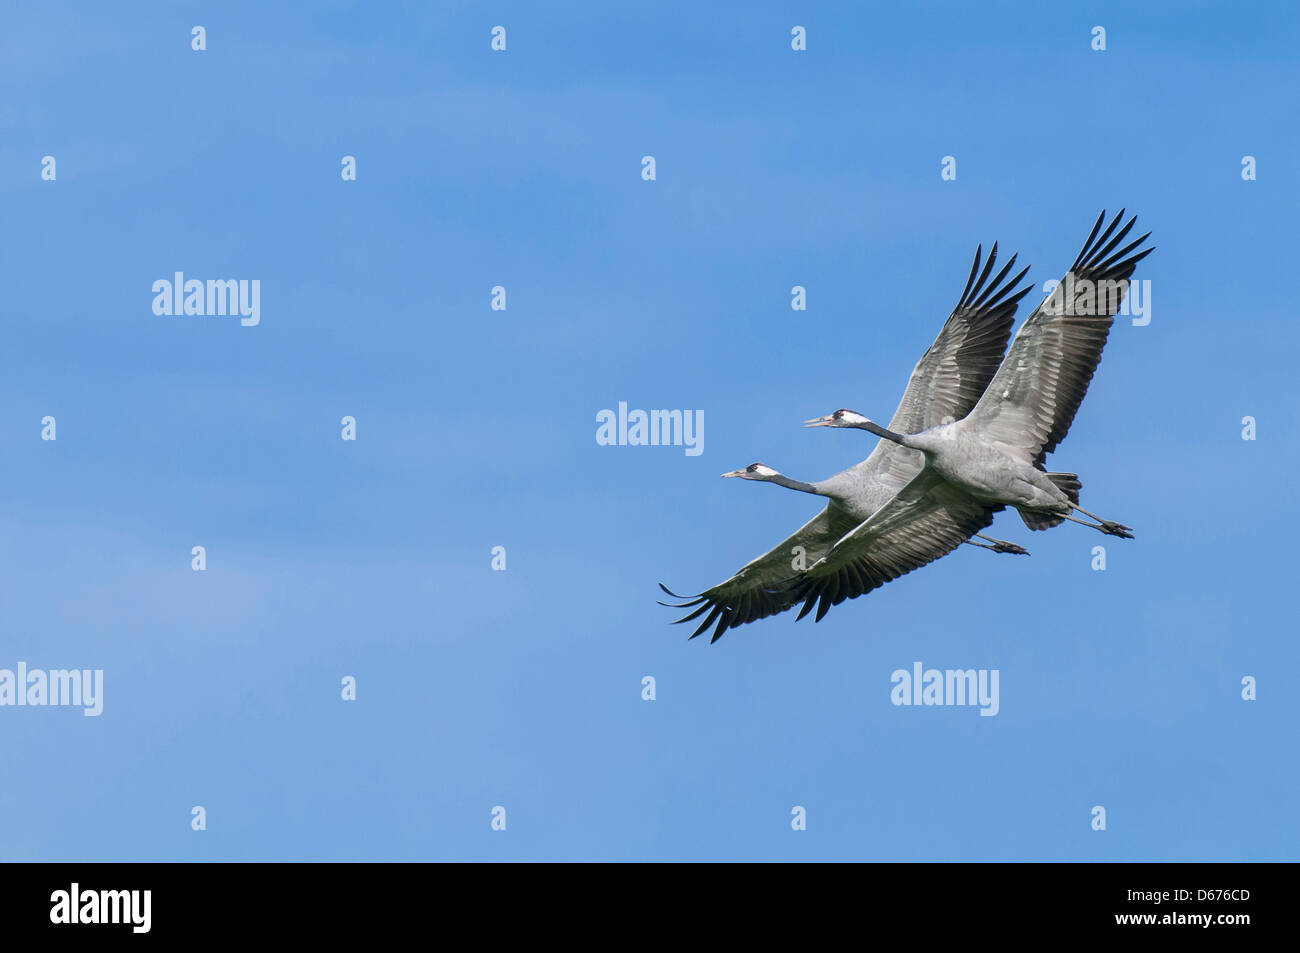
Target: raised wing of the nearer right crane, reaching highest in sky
{"type": "Point", "coordinates": [1033, 398]}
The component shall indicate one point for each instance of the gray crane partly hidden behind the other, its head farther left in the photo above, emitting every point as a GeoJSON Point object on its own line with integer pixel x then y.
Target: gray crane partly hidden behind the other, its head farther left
{"type": "Point", "coordinates": [946, 384]}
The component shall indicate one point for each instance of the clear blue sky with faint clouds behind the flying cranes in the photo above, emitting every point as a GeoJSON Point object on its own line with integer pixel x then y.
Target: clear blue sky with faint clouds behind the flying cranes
{"type": "Point", "coordinates": [476, 430]}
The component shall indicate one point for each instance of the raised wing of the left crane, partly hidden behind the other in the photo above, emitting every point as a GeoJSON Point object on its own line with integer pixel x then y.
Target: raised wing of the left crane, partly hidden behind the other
{"type": "Point", "coordinates": [952, 374]}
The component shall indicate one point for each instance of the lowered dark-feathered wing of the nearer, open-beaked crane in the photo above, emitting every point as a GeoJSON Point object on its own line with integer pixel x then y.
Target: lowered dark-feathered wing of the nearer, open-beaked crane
{"type": "Point", "coordinates": [928, 519]}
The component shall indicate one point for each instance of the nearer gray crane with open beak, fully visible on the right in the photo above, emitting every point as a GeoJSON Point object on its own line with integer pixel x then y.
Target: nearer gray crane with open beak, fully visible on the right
{"type": "Point", "coordinates": [994, 457]}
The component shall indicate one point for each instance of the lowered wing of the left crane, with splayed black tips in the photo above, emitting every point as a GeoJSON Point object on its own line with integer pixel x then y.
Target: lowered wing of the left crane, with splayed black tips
{"type": "Point", "coordinates": [764, 587]}
